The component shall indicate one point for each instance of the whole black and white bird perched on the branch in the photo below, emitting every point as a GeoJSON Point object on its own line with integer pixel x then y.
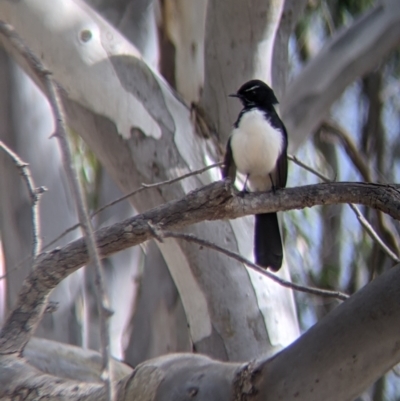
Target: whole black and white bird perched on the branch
{"type": "Point", "coordinates": [257, 148]}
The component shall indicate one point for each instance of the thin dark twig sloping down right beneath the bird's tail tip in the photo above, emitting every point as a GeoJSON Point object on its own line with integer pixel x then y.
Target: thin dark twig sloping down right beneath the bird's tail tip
{"type": "Point", "coordinates": [310, 290]}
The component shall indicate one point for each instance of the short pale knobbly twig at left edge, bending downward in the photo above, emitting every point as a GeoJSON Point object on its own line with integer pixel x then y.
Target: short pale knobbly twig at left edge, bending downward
{"type": "Point", "coordinates": [34, 194]}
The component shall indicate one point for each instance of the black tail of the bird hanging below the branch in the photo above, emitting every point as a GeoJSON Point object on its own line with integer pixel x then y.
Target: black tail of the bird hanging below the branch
{"type": "Point", "coordinates": [267, 241]}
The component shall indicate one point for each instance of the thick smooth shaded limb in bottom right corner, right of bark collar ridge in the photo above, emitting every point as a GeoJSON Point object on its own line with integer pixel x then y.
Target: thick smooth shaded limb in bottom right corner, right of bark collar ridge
{"type": "Point", "coordinates": [361, 344]}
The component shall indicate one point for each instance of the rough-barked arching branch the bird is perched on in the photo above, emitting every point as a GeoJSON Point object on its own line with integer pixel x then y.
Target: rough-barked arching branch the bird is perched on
{"type": "Point", "coordinates": [213, 202]}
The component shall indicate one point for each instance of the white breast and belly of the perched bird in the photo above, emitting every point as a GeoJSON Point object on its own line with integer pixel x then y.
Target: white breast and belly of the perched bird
{"type": "Point", "coordinates": [256, 146]}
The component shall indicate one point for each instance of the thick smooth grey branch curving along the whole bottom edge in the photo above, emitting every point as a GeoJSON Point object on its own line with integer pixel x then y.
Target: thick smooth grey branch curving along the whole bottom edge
{"type": "Point", "coordinates": [338, 358]}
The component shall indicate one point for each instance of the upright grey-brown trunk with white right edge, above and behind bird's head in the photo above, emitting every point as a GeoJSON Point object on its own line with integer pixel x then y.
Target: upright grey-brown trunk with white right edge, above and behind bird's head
{"type": "Point", "coordinates": [238, 46]}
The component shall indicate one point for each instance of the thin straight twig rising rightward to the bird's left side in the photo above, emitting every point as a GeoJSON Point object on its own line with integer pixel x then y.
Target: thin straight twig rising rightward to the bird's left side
{"type": "Point", "coordinates": [135, 192]}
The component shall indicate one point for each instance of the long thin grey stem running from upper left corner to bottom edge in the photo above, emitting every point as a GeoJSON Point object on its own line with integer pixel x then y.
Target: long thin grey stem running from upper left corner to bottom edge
{"type": "Point", "coordinates": [61, 134]}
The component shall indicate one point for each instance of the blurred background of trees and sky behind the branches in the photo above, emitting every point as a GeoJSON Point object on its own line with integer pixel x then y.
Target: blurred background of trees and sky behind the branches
{"type": "Point", "coordinates": [325, 246]}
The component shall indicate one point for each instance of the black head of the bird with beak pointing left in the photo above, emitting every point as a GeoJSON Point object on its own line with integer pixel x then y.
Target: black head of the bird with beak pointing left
{"type": "Point", "coordinates": [256, 93]}
